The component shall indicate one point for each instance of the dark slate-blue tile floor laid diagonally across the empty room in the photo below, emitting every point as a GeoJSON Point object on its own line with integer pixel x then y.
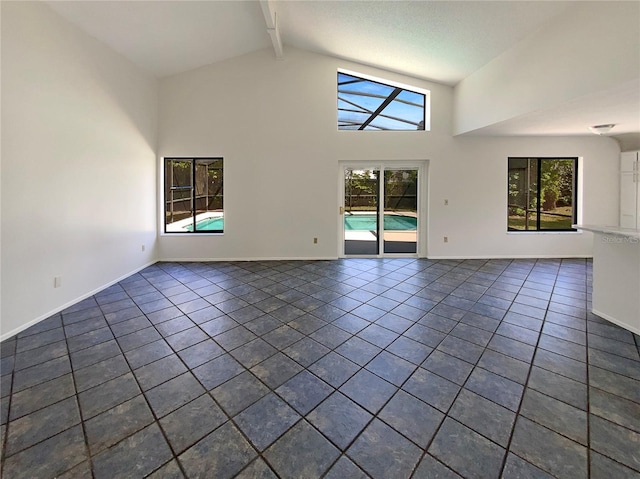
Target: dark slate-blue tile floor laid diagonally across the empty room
{"type": "Point", "coordinates": [389, 368]}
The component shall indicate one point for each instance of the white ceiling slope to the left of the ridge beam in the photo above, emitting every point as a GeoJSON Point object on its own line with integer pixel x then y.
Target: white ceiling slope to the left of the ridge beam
{"type": "Point", "coordinates": [169, 37]}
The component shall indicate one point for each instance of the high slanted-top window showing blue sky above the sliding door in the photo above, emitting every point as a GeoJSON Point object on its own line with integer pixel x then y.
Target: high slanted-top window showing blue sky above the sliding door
{"type": "Point", "coordinates": [366, 104]}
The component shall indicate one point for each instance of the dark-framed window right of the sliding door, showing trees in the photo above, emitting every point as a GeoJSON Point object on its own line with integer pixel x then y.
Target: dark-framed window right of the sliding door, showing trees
{"type": "Point", "coordinates": [541, 194]}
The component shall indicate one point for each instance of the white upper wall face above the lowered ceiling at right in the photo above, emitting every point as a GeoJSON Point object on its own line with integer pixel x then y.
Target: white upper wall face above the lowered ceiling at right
{"type": "Point", "coordinates": [597, 43]}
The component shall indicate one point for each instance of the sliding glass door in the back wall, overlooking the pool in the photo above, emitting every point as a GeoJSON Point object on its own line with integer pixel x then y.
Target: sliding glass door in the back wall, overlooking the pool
{"type": "Point", "coordinates": [380, 211]}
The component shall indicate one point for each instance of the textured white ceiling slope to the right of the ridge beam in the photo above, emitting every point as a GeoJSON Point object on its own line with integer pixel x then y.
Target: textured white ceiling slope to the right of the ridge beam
{"type": "Point", "coordinates": [440, 41]}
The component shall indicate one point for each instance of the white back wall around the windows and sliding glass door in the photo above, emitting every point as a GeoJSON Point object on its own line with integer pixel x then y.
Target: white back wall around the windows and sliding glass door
{"type": "Point", "coordinates": [275, 125]}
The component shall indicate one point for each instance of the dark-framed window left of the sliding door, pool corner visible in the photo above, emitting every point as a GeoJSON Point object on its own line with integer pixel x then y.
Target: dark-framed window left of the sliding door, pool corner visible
{"type": "Point", "coordinates": [193, 195]}
